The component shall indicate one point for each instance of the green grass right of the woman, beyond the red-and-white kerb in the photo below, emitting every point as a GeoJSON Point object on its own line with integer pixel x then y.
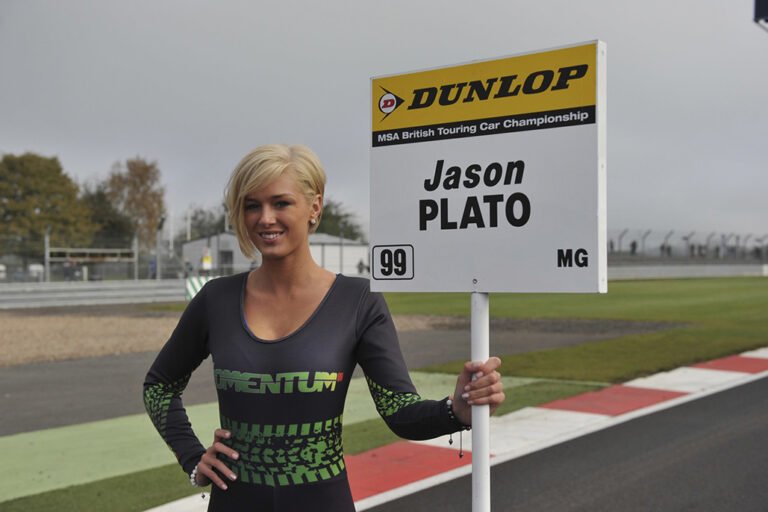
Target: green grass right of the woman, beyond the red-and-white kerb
{"type": "Point", "coordinates": [714, 318]}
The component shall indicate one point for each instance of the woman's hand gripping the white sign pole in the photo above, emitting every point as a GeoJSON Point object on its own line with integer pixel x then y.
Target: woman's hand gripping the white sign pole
{"type": "Point", "coordinates": [485, 389]}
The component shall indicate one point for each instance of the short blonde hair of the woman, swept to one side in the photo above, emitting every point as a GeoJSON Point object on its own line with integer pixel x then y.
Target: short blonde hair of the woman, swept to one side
{"type": "Point", "coordinates": [262, 166]}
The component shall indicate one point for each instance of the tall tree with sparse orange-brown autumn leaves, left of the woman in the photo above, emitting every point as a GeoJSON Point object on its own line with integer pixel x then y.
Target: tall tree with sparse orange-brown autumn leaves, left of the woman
{"type": "Point", "coordinates": [135, 190]}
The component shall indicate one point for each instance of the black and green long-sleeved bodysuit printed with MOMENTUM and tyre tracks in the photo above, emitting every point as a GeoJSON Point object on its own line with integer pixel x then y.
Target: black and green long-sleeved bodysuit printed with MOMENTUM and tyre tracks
{"type": "Point", "coordinates": [283, 400]}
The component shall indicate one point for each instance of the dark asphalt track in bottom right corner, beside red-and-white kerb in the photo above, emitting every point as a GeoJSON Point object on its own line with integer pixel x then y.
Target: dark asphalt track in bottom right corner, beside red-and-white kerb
{"type": "Point", "coordinates": [708, 455]}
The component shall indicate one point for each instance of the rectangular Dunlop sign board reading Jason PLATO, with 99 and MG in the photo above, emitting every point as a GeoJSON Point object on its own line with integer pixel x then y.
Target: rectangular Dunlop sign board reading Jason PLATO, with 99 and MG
{"type": "Point", "coordinates": [490, 176]}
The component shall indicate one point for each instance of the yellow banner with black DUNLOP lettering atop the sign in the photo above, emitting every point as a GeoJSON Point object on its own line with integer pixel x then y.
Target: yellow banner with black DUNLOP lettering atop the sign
{"type": "Point", "coordinates": [539, 82]}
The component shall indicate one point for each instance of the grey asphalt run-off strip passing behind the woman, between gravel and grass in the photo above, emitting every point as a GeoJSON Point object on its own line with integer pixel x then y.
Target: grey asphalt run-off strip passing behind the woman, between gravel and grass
{"type": "Point", "coordinates": [46, 395]}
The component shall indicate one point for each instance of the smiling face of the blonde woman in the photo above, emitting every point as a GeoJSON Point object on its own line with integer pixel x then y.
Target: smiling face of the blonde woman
{"type": "Point", "coordinates": [277, 217]}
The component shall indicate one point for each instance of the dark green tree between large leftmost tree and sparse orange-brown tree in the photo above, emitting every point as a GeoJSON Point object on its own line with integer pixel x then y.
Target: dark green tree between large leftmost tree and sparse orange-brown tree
{"type": "Point", "coordinates": [113, 229]}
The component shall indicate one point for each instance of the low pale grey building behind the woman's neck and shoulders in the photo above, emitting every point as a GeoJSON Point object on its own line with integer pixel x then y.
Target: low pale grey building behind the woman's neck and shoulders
{"type": "Point", "coordinates": [339, 255]}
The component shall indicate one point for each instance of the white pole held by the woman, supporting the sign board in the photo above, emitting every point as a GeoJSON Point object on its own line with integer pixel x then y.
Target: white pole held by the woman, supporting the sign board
{"type": "Point", "coordinates": [481, 446]}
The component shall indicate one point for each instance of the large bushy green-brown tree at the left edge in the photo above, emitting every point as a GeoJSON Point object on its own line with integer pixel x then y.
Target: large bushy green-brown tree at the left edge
{"type": "Point", "coordinates": [36, 197]}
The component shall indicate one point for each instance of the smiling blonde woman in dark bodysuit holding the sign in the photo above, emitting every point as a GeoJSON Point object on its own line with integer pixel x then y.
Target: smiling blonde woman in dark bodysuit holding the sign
{"type": "Point", "coordinates": [285, 339]}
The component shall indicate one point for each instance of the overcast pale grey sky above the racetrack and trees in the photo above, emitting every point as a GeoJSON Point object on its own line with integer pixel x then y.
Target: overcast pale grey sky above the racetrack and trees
{"type": "Point", "coordinates": [195, 85]}
